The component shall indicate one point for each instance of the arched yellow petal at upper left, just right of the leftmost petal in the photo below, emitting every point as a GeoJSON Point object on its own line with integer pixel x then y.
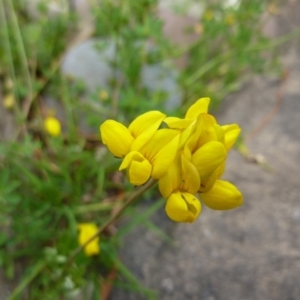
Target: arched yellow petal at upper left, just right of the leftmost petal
{"type": "Point", "coordinates": [144, 127]}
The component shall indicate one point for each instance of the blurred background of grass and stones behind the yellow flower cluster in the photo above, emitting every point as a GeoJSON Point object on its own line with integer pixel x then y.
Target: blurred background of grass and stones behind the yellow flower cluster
{"type": "Point", "coordinates": [82, 62]}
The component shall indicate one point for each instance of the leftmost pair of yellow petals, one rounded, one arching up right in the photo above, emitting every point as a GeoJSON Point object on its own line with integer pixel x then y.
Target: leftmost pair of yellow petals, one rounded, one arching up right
{"type": "Point", "coordinates": [120, 140]}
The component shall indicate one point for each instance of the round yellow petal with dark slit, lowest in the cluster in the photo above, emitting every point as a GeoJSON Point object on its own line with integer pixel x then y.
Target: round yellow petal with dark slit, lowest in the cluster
{"type": "Point", "coordinates": [183, 207]}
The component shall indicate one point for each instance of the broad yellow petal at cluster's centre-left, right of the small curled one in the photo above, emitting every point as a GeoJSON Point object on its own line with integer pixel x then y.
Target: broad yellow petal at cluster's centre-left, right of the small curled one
{"type": "Point", "coordinates": [161, 151]}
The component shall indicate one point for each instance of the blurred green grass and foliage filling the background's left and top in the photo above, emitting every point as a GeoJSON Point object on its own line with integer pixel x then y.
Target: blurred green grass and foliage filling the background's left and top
{"type": "Point", "coordinates": [49, 185]}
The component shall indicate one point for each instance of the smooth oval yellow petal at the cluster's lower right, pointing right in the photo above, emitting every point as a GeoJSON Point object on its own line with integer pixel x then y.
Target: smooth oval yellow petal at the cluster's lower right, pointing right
{"type": "Point", "coordinates": [222, 196]}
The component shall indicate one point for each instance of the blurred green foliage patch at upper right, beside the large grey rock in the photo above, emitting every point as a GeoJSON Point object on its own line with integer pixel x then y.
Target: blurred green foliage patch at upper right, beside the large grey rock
{"type": "Point", "coordinates": [227, 50]}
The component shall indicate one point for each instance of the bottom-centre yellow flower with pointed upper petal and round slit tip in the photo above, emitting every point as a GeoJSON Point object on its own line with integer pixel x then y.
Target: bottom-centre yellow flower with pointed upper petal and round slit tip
{"type": "Point", "coordinates": [179, 186]}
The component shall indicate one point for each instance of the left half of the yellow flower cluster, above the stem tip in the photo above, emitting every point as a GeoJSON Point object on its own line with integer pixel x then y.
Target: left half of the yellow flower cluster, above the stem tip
{"type": "Point", "coordinates": [147, 151]}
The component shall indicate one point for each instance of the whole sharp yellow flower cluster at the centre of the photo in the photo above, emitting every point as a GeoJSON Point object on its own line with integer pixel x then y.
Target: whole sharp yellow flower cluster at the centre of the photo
{"type": "Point", "coordinates": [187, 158]}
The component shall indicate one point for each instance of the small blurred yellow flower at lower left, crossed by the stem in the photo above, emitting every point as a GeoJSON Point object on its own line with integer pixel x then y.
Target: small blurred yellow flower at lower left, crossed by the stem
{"type": "Point", "coordinates": [86, 231]}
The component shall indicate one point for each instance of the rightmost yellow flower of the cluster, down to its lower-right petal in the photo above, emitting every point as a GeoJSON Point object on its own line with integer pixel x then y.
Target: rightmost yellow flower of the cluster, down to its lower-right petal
{"type": "Point", "coordinates": [206, 149]}
